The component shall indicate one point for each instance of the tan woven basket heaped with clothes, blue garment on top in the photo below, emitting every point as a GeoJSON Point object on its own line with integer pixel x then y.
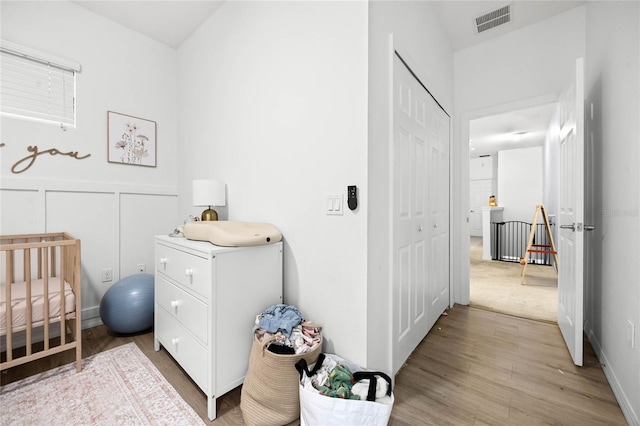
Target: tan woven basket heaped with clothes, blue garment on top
{"type": "Point", "coordinates": [281, 338]}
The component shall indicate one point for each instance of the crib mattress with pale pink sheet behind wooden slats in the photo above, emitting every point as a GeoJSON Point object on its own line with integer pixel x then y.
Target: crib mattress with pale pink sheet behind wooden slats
{"type": "Point", "coordinates": [19, 303]}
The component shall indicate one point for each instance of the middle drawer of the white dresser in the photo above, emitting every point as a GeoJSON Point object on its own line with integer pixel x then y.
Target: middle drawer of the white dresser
{"type": "Point", "coordinates": [188, 310]}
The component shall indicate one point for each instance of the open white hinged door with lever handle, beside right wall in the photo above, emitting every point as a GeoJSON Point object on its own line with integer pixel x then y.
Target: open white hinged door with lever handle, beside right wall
{"type": "Point", "coordinates": [571, 215]}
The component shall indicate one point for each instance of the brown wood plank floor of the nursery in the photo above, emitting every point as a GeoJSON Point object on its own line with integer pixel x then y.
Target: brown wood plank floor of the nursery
{"type": "Point", "coordinates": [475, 367]}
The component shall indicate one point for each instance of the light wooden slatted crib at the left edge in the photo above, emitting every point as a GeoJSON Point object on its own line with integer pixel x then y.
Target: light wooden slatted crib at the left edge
{"type": "Point", "coordinates": [35, 270]}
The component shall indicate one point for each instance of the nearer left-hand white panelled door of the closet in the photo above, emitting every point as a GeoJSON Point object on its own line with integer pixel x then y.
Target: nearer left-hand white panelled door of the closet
{"type": "Point", "coordinates": [409, 207]}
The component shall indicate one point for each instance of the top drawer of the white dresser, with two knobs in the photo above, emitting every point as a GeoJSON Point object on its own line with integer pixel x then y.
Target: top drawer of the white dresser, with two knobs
{"type": "Point", "coordinates": [191, 271]}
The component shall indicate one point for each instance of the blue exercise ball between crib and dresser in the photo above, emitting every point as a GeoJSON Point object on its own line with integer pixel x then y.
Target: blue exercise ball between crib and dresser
{"type": "Point", "coordinates": [127, 306]}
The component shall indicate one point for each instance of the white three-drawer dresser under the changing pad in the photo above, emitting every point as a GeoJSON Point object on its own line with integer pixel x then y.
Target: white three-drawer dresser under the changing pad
{"type": "Point", "coordinates": [206, 301]}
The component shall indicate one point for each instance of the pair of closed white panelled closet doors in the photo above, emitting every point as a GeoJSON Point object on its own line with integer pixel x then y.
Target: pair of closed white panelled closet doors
{"type": "Point", "coordinates": [420, 213]}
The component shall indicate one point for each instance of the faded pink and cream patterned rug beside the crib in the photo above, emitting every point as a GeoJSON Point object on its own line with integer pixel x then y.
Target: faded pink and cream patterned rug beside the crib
{"type": "Point", "coordinates": [117, 387]}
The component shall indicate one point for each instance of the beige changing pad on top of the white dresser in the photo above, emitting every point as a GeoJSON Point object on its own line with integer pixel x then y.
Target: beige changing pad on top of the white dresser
{"type": "Point", "coordinates": [233, 234]}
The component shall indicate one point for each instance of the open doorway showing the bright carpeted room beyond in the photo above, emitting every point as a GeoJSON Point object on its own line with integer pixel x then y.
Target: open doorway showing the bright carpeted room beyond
{"type": "Point", "coordinates": [512, 161]}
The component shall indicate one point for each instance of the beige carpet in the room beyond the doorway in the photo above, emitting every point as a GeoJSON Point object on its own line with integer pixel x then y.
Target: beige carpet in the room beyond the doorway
{"type": "Point", "coordinates": [495, 285]}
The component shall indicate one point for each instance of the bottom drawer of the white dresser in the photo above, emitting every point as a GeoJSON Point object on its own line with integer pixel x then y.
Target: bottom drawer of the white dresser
{"type": "Point", "coordinates": [186, 350]}
